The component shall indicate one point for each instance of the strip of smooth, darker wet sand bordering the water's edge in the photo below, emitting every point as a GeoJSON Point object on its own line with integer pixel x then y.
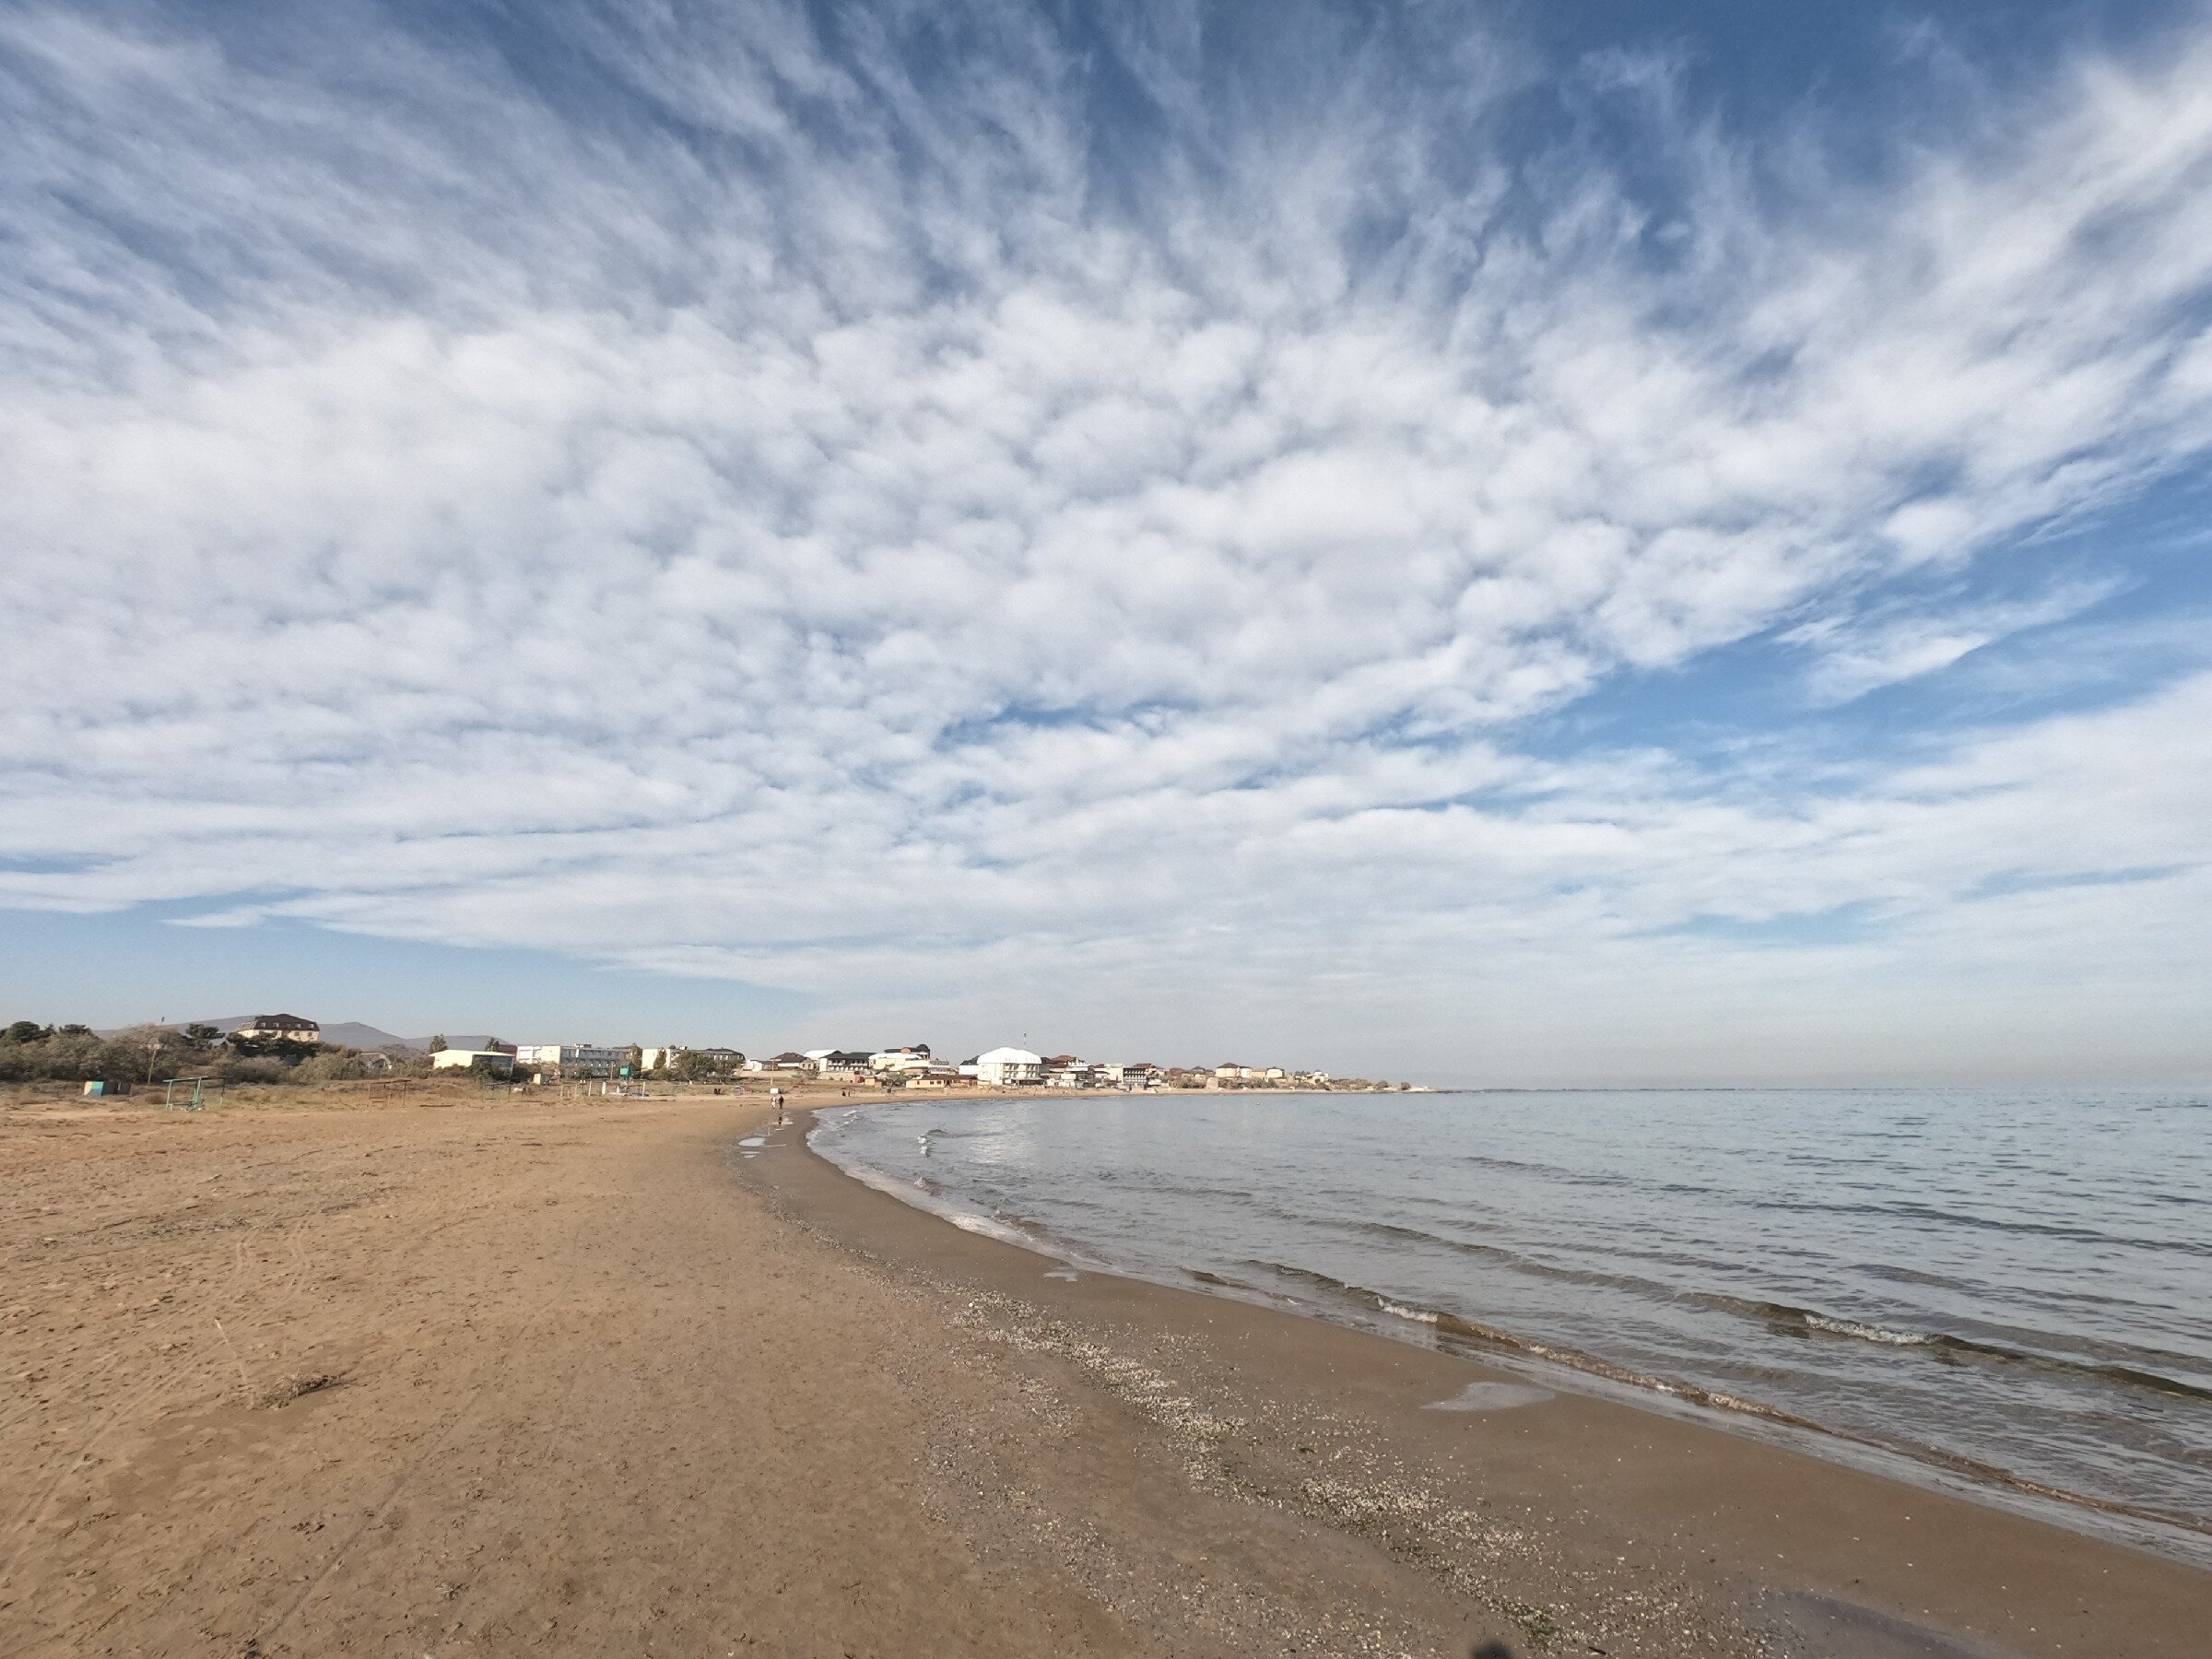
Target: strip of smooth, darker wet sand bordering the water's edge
{"type": "Point", "coordinates": [1996, 1578]}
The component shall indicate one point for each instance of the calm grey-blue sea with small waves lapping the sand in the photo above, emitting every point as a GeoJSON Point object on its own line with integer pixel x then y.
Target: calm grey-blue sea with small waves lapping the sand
{"type": "Point", "coordinates": [1996, 1288]}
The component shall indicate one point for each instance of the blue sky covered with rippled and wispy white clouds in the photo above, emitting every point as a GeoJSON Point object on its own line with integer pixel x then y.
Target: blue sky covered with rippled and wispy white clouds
{"type": "Point", "coordinates": [1496, 545]}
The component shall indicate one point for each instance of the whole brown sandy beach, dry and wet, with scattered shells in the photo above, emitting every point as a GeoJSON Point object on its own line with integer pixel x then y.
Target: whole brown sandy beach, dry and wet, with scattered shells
{"type": "Point", "coordinates": [603, 1377]}
